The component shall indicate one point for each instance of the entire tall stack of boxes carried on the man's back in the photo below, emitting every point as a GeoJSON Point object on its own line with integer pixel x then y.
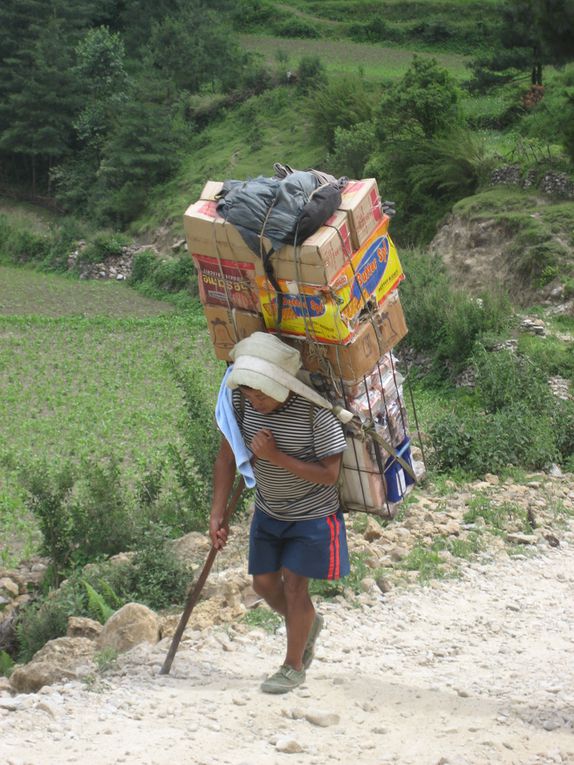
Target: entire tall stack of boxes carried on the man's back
{"type": "Point", "coordinates": [339, 306]}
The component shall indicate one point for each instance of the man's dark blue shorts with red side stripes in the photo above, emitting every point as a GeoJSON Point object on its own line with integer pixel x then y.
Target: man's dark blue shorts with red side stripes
{"type": "Point", "coordinates": [316, 548]}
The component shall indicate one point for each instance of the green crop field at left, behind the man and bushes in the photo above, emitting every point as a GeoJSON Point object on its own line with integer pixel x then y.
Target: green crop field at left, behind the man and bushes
{"type": "Point", "coordinates": [86, 376]}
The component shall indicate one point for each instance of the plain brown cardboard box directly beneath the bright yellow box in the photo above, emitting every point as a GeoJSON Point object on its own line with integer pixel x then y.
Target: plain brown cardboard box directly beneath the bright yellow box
{"type": "Point", "coordinates": [373, 339]}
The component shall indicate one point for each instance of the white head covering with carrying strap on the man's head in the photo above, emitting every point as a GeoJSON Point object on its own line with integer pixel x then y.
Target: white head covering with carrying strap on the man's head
{"type": "Point", "coordinates": [264, 362]}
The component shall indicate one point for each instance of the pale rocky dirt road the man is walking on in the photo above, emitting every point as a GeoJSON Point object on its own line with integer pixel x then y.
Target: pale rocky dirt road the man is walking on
{"type": "Point", "coordinates": [475, 671]}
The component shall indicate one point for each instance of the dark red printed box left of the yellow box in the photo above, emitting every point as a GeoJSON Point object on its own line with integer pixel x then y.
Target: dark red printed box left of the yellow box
{"type": "Point", "coordinates": [226, 283]}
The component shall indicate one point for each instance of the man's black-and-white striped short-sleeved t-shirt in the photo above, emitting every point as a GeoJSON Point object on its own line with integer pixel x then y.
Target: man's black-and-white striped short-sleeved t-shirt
{"type": "Point", "coordinates": [309, 433]}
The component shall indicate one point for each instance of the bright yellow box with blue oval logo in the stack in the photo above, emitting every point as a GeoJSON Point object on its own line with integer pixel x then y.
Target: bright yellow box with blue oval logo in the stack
{"type": "Point", "coordinates": [331, 313]}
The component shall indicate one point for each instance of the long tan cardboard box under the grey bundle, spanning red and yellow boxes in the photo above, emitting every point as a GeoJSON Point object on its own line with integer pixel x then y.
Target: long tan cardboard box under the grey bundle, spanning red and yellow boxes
{"type": "Point", "coordinates": [316, 260]}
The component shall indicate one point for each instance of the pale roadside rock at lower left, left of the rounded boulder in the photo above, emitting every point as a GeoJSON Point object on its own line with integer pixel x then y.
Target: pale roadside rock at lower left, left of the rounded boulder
{"type": "Point", "coordinates": [62, 658]}
